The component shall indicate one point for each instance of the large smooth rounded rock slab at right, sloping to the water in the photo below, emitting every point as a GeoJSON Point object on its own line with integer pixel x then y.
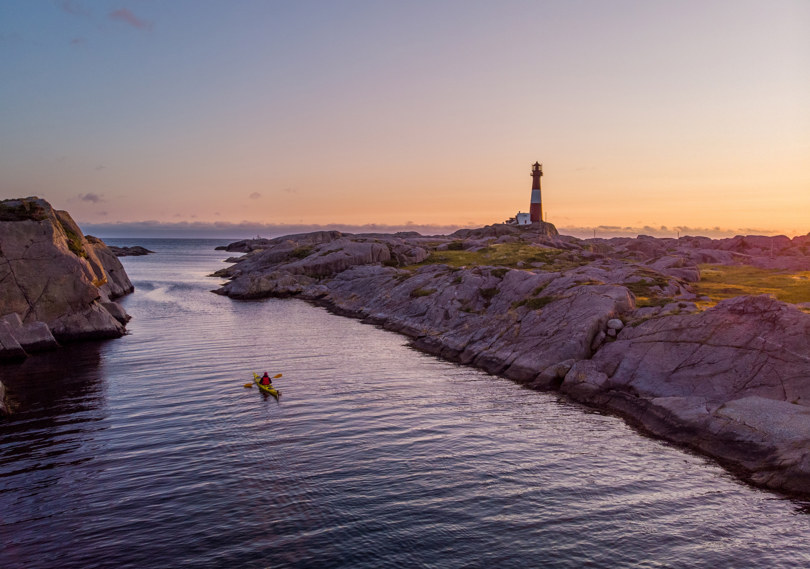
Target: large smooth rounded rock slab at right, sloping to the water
{"type": "Point", "coordinates": [733, 381]}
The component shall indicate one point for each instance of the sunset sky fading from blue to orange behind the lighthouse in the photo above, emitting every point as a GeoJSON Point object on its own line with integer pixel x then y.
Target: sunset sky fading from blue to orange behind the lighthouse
{"type": "Point", "coordinates": [259, 116]}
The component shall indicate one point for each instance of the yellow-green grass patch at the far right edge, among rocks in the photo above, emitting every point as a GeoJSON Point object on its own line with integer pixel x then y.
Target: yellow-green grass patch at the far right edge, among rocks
{"type": "Point", "coordinates": [720, 282]}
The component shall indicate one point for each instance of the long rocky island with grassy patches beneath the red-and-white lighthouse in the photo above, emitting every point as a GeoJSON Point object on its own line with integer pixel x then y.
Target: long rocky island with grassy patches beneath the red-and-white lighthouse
{"type": "Point", "coordinates": [674, 335]}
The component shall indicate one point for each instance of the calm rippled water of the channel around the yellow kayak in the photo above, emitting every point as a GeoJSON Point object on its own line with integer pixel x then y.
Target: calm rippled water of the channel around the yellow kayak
{"type": "Point", "coordinates": [147, 451]}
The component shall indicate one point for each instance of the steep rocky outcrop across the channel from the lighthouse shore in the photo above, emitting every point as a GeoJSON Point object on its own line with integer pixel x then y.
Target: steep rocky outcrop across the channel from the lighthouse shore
{"type": "Point", "coordinates": [57, 284]}
